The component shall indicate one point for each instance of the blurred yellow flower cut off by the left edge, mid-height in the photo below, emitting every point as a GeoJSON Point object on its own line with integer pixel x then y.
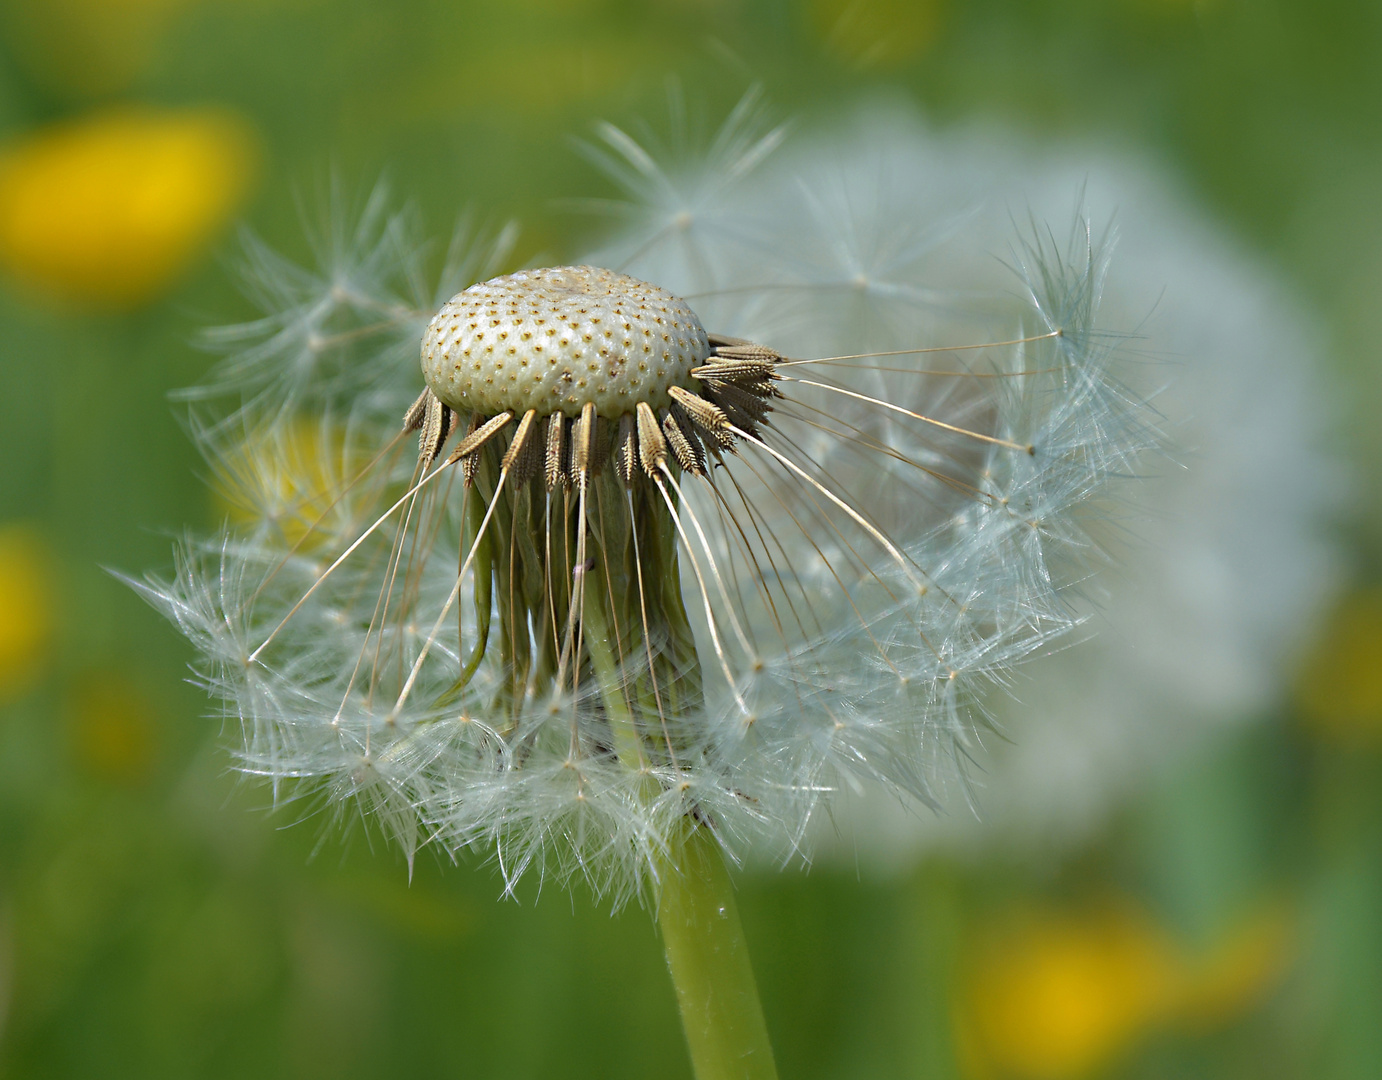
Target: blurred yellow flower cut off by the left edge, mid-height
{"type": "Point", "coordinates": [26, 608]}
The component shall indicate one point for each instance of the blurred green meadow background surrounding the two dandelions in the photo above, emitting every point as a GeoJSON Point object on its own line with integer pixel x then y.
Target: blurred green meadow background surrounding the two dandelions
{"type": "Point", "coordinates": [154, 922]}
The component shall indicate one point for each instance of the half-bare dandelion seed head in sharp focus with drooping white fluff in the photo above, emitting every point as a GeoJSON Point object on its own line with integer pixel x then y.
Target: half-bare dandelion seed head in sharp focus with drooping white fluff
{"type": "Point", "coordinates": [652, 584]}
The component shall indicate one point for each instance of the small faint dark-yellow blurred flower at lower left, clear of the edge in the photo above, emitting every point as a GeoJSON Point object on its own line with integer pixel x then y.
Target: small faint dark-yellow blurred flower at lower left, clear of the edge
{"type": "Point", "coordinates": [113, 728]}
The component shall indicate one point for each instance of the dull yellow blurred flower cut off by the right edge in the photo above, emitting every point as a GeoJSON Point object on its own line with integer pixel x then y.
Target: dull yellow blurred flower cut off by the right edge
{"type": "Point", "coordinates": [1340, 692]}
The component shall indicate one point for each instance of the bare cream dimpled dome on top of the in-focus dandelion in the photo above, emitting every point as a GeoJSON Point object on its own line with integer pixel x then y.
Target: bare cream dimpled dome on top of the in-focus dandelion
{"type": "Point", "coordinates": [555, 339]}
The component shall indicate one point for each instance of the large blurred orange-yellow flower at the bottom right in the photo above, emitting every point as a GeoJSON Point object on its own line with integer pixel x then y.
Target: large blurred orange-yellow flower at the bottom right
{"type": "Point", "coordinates": [1059, 996]}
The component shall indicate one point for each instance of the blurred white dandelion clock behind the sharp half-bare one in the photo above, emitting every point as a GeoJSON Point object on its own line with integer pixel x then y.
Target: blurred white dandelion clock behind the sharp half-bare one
{"type": "Point", "coordinates": [881, 229]}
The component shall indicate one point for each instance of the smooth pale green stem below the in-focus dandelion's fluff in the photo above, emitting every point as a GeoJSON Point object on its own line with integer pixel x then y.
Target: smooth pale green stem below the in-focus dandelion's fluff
{"type": "Point", "coordinates": [710, 963]}
